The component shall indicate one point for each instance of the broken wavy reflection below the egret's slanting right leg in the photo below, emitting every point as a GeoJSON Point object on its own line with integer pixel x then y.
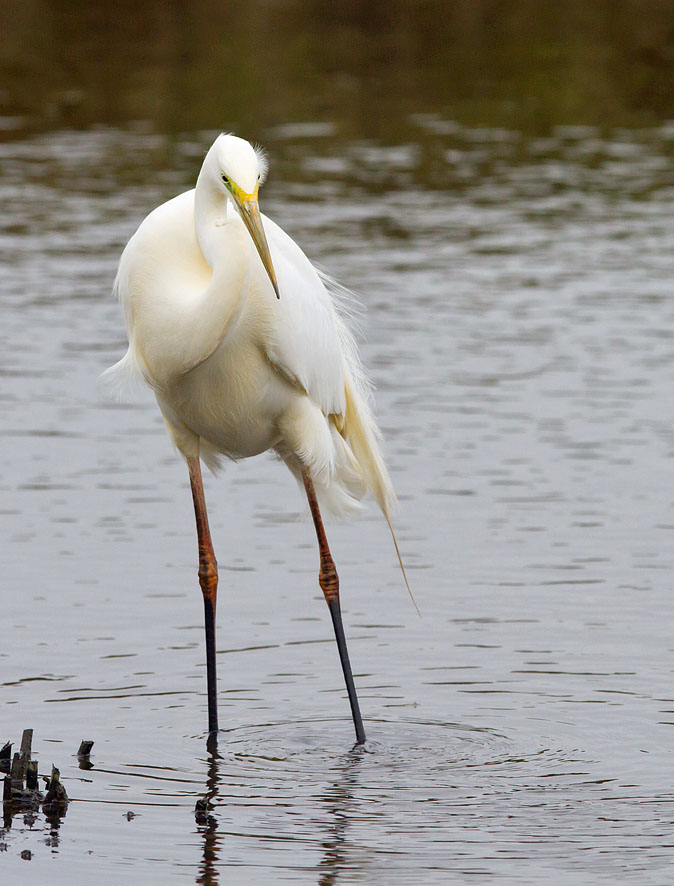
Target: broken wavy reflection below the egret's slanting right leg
{"type": "Point", "coordinates": [340, 802]}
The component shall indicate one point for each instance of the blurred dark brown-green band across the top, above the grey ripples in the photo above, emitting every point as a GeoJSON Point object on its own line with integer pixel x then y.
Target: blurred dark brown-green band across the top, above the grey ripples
{"type": "Point", "coordinates": [362, 67]}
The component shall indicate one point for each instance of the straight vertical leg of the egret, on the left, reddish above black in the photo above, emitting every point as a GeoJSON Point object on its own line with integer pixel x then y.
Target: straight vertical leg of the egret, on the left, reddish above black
{"type": "Point", "coordinates": [208, 579]}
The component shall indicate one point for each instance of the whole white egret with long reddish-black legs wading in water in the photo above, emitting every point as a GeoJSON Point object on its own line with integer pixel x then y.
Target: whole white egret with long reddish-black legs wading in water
{"type": "Point", "coordinates": [236, 333]}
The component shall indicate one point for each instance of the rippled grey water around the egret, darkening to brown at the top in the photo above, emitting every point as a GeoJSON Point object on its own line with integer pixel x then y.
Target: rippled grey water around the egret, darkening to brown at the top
{"type": "Point", "coordinates": [520, 331]}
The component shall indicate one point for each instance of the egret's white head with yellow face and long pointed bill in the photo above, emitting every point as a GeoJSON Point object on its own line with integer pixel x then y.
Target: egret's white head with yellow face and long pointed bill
{"type": "Point", "coordinates": [242, 169]}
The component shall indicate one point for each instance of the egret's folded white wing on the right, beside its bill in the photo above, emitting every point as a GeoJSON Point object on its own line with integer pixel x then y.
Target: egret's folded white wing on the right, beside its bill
{"type": "Point", "coordinates": [304, 342]}
